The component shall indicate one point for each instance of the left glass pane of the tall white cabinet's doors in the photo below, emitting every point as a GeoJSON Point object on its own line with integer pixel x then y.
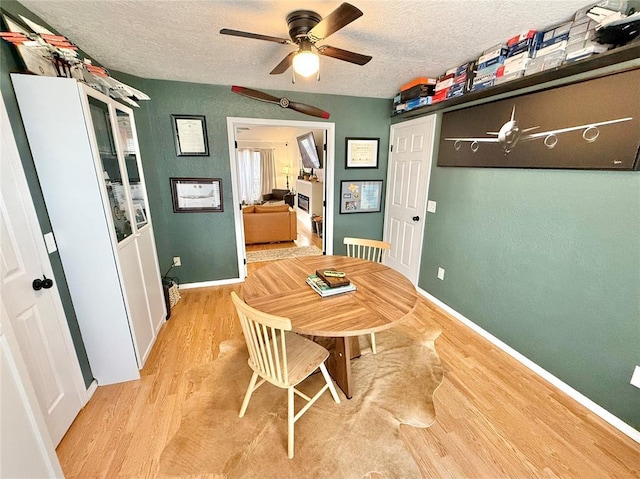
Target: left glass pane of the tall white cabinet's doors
{"type": "Point", "coordinates": [110, 168]}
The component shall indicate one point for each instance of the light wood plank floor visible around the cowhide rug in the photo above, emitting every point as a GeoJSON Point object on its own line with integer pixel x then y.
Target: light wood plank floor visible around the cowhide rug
{"type": "Point", "coordinates": [494, 418]}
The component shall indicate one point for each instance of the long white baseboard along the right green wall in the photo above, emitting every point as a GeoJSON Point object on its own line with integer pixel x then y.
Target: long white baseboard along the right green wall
{"type": "Point", "coordinates": [546, 375]}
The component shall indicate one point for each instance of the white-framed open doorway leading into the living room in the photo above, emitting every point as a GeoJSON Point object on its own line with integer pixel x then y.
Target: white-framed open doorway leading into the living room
{"type": "Point", "coordinates": [280, 137]}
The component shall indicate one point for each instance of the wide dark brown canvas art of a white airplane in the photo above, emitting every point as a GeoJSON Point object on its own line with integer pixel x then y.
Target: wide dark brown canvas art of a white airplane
{"type": "Point", "coordinates": [589, 125]}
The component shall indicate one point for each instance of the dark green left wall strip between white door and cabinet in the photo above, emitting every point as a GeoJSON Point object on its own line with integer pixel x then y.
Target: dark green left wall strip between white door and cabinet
{"type": "Point", "coordinates": [10, 63]}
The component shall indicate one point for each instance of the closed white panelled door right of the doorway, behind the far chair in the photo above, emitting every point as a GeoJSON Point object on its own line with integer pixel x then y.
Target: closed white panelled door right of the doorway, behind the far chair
{"type": "Point", "coordinates": [407, 187]}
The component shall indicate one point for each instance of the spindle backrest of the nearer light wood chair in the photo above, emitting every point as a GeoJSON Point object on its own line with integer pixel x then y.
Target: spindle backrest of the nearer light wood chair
{"type": "Point", "coordinates": [265, 337]}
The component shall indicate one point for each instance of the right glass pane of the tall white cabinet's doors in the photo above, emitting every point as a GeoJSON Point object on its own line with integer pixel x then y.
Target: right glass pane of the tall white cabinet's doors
{"type": "Point", "coordinates": [127, 141]}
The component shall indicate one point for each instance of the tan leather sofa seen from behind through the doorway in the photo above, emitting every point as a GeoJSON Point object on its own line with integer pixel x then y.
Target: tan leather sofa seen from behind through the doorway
{"type": "Point", "coordinates": [269, 224]}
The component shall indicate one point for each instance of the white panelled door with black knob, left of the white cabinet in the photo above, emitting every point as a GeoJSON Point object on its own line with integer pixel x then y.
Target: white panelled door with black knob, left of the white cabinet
{"type": "Point", "coordinates": [37, 317]}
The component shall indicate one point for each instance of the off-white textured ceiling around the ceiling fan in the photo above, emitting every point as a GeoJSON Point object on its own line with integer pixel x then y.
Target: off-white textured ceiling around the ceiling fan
{"type": "Point", "coordinates": [180, 40]}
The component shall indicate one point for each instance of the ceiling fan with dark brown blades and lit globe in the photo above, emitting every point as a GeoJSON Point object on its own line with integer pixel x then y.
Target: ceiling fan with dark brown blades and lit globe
{"type": "Point", "coordinates": [305, 29]}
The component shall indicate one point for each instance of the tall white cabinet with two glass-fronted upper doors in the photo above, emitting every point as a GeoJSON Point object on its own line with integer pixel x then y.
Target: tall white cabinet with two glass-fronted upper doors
{"type": "Point", "coordinates": [85, 149]}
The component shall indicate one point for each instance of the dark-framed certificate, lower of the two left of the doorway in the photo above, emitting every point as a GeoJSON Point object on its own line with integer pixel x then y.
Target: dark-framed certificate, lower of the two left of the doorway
{"type": "Point", "coordinates": [196, 195]}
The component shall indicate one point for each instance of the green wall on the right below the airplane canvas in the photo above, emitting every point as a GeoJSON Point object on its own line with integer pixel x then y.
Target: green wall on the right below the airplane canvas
{"type": "Point", "coordinates": [548, 261]}
